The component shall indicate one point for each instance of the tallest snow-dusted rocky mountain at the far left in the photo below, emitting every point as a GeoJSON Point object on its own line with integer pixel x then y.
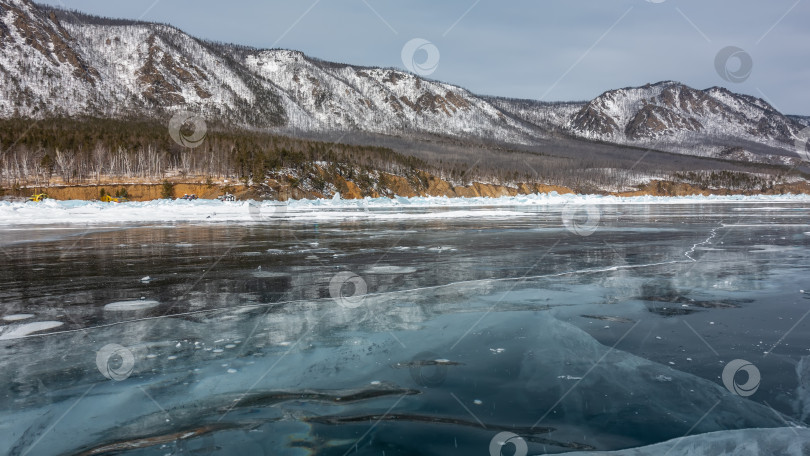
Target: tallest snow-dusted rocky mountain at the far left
{"type": "Point", "coordinates": [53, 66]}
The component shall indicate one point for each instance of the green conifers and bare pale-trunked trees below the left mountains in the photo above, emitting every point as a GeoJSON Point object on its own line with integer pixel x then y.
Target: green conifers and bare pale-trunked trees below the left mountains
{"type": "Point", "coordinates": [87, 150]}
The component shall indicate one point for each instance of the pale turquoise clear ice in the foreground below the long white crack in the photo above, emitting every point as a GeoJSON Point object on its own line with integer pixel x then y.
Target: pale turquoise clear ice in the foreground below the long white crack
{"type": "Point", "coordinates": [339, 352]}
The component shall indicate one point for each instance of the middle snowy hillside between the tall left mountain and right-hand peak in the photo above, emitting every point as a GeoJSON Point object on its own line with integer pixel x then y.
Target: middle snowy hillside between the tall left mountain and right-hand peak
{"type": "Point", "coordinates": [344, 97]}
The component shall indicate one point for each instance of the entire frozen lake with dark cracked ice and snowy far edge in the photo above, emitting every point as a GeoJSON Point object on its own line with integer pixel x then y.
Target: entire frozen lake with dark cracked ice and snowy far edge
{"type": "Point", "coordinates": [434, 329]}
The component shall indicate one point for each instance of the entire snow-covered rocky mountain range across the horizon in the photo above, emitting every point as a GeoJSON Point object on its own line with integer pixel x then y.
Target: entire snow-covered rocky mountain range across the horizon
{"type": "Point", "coordinates": [58, 63]}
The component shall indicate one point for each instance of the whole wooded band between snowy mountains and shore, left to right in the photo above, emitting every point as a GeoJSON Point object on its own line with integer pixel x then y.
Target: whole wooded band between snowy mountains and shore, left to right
{"type": "Point", "coordinates": [35, 155]}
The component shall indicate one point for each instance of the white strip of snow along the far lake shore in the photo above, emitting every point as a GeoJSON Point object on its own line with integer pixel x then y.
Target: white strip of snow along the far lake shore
{"type": "Point", "coordinates": [74, 212]}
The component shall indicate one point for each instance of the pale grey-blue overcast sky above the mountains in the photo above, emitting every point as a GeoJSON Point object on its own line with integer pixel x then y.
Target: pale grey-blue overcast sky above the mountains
{"type": "Point", "coordinates": [538, 49]}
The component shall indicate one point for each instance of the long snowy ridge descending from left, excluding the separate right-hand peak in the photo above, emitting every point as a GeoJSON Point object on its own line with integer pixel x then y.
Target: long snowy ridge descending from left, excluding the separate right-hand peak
{"type": "Point", "coordinates": [59, 63]}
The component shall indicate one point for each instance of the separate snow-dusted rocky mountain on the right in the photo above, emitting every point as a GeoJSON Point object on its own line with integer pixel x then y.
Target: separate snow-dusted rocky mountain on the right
{"type": "Point", "coordinates": [672, 116]}
